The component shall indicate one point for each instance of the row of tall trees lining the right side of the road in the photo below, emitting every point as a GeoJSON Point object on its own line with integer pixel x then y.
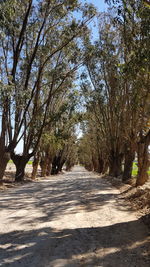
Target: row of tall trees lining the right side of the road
{"type": "Point", "coordinates": [115, 85]}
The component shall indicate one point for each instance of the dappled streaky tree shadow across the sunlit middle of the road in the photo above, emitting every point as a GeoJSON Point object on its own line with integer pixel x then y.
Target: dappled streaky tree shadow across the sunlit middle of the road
{"type": "Point", "coordinates": [54, 198]}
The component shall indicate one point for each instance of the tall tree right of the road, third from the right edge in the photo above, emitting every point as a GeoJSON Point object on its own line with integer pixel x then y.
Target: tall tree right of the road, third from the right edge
{"type": "Point", "coordinates": [101, 61]}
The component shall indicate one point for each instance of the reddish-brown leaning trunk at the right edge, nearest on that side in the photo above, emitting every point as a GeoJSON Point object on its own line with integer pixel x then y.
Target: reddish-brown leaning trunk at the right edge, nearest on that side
{"type": "Point", "coordinates": [143, 160]}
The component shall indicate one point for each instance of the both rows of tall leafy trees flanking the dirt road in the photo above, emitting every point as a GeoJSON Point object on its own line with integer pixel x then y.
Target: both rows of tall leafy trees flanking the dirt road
{"type": "Point", "coordinates": [43, 45]}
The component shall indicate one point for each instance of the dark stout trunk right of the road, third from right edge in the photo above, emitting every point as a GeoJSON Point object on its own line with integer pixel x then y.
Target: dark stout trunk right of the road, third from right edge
{"type": "Point", "coordinates": [115, 164]}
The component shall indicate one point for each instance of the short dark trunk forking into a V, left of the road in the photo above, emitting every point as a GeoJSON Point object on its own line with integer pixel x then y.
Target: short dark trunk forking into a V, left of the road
{"type": "Point", "coordinates": [20, 163]}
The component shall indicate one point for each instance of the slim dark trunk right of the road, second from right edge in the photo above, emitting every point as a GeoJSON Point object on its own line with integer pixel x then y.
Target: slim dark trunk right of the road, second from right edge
{"type": "Point", "coordinates": [129, 158]}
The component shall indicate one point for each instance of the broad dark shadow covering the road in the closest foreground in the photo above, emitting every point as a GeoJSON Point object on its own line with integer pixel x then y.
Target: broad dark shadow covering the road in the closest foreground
{"type": "Point", "coordinates": [97, 246]}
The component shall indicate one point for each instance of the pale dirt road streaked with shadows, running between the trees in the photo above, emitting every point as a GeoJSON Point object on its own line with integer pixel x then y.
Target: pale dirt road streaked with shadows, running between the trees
{"type": "Point", "coordinates": [73, 219]}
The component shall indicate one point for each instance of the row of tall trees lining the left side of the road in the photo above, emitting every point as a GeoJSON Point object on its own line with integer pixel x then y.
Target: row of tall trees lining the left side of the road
{"type": "Point", "coordinates": [40, 52]}
